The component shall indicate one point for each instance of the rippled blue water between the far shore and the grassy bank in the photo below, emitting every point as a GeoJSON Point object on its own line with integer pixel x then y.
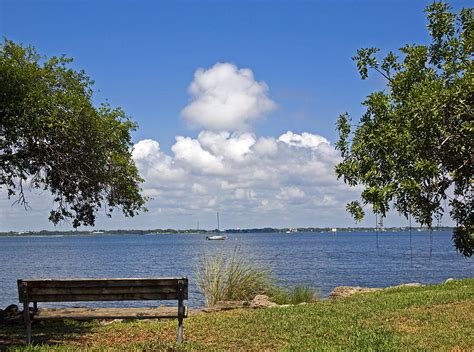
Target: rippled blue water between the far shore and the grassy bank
{"type": "Point", "coordinates": [322, 260]}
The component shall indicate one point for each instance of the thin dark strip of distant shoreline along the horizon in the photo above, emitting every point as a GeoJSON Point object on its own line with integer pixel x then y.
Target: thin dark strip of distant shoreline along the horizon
{"type": "Point", "coordinates": [204, 232]}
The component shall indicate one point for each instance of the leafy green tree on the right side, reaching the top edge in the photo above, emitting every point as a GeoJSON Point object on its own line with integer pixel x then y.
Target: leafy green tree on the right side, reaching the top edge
{"type": "Point", "coordinates": [413, 147]}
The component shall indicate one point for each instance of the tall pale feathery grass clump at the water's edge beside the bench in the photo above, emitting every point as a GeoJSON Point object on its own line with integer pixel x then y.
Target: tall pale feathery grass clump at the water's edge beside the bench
{"type": "Point", "coordinates": [231, 279]}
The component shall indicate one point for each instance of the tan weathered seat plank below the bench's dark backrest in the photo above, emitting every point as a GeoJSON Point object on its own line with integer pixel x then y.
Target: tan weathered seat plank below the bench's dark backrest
{"type": "Point", "coordinates": [106, 313]}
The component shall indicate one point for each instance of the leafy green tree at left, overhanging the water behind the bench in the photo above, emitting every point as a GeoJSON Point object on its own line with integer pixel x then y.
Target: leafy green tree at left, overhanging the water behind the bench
{"type": "Point", "coordinates": [52, 137]}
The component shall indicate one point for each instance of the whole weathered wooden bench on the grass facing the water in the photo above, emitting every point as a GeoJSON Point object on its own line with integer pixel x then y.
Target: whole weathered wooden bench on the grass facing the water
{"type": "Point", "coordinates": [76, 290]}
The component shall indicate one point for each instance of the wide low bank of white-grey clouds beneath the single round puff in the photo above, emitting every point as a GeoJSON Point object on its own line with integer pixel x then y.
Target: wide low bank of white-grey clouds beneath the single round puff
{"type": "Point", "coordinates": [287, 179]}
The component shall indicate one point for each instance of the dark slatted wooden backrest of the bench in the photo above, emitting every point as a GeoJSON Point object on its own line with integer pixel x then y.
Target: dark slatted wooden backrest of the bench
{"type": "Point", "coordinates": [73, 290]}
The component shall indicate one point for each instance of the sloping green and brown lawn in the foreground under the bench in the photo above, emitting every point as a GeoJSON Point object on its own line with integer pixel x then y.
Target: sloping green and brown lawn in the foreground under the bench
{"type": "Point", "coordinates": [438, 317]}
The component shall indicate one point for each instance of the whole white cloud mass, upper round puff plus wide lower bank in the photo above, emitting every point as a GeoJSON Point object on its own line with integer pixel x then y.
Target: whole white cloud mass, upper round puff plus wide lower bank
{"type": "Point", "coordinates": [287, 178]}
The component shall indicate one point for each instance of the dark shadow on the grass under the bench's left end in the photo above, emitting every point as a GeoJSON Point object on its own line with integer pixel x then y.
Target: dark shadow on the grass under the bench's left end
{"type": "Point", "coordinates": [44, 332]}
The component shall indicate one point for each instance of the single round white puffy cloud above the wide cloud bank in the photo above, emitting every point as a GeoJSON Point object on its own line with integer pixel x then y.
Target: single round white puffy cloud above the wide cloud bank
{"type": "Point", "coordinates": [225, 97]}
